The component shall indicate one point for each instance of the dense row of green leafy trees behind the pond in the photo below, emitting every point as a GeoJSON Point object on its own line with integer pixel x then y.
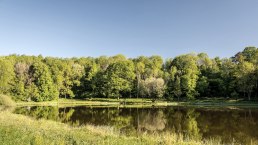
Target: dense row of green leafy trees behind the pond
{"type": "Point", "coordinates": [190, 76]}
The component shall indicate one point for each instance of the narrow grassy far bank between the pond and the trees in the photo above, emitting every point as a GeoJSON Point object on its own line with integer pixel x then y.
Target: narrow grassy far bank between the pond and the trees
{"type": "Point", "coordinates": [219, 102]}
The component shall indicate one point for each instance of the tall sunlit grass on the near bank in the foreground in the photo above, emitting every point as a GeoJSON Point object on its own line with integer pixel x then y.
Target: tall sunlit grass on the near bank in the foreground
{"type": "Point", "coordinates": [18, 129]}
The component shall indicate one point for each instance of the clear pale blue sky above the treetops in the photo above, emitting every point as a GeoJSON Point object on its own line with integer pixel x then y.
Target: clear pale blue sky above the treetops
{"type": "Point", "coordinates": [67, 28]}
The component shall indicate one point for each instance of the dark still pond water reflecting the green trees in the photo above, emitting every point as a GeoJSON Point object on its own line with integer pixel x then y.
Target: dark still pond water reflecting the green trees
{"type": "Point", "coordinates": [227, 124]}
